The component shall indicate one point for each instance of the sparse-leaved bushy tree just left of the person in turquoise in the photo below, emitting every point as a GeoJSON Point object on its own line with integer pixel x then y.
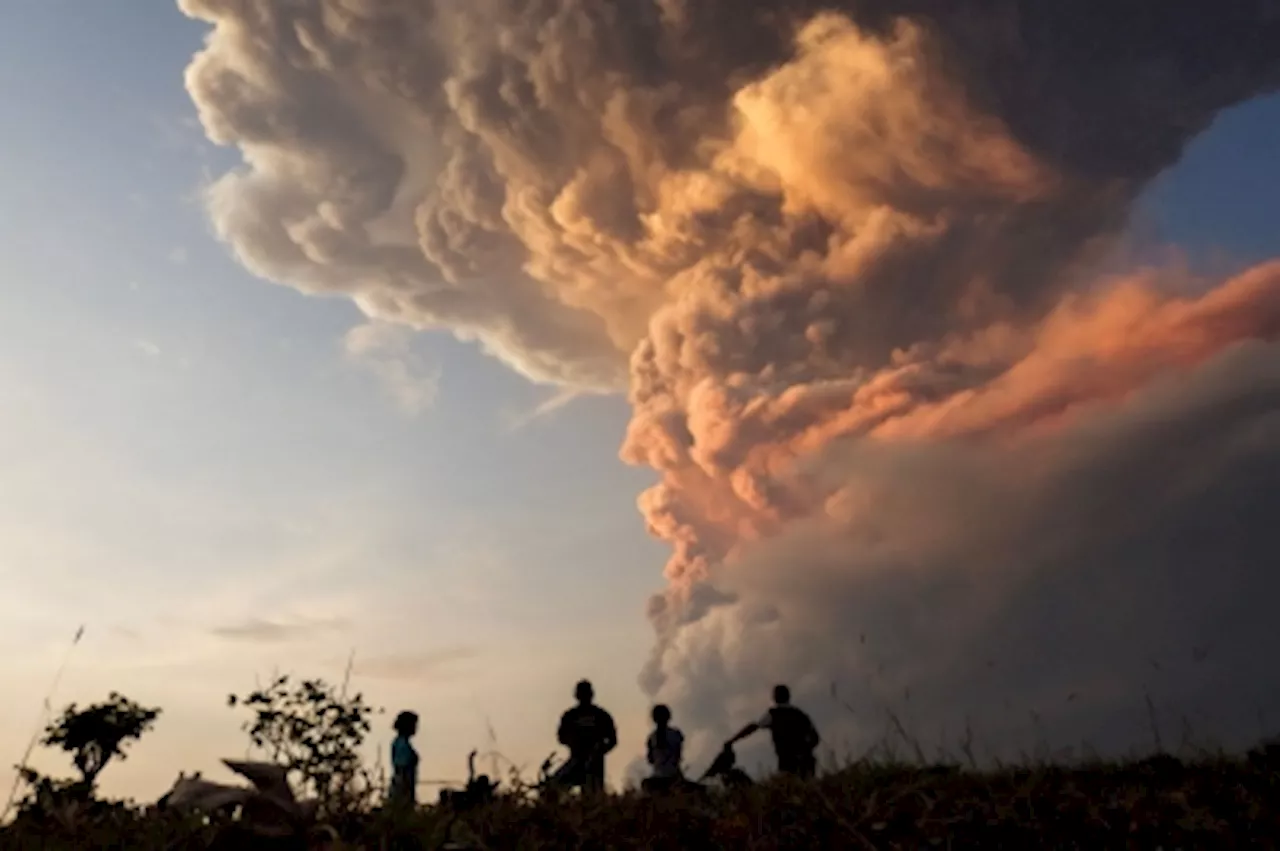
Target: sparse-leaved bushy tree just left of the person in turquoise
{"type": "Point", "coordinates": [316, 733]}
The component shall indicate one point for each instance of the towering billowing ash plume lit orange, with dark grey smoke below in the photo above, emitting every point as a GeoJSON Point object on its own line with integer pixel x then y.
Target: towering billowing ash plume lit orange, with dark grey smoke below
{"type": "Point", "coordinates": [839, 254]}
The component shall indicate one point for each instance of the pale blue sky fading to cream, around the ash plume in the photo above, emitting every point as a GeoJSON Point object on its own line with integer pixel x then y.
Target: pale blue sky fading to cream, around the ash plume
{"type": "Point", "coordinates": [189, 451]}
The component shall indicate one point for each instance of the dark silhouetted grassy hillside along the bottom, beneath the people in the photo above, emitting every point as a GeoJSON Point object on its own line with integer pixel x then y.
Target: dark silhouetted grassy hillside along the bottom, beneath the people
{"type": "Point", "coordinates": [1160, 803]}
